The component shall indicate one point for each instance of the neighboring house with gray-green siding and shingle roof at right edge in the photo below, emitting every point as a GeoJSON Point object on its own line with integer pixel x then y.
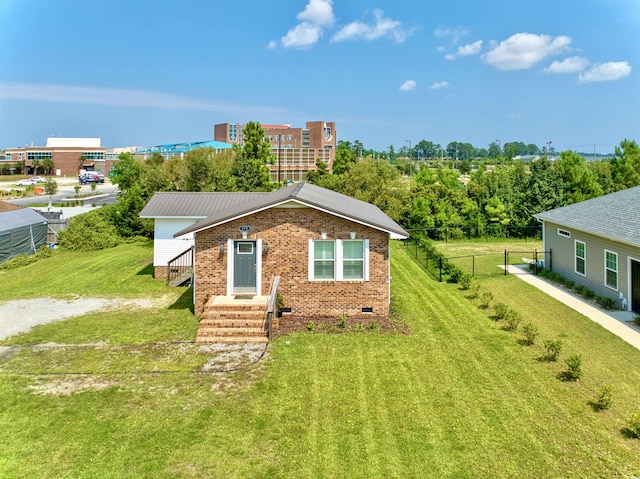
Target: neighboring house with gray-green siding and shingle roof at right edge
{"type": "Point", "coordinates": [597, 243]}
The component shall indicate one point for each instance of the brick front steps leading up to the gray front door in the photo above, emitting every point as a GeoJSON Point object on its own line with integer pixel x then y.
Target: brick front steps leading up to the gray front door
{"type": "Point", "coordinates": [234, 319]}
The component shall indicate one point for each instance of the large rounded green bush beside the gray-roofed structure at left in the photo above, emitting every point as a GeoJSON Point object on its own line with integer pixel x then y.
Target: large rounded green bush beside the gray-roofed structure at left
{"type": "Point", "coordinates": [89, 232]}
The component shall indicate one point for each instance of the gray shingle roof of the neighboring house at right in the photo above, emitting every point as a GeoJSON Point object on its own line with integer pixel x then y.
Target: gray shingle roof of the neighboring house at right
{"type": "Point", "coordinates": [615, 216]}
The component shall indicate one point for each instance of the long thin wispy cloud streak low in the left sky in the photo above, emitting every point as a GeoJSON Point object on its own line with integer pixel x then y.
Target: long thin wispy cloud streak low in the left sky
{"type": "Point", "coordinates": [119, 97]}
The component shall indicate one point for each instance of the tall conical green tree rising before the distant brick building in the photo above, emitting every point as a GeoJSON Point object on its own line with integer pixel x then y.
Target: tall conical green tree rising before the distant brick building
{"type": "Point", "coordinates": [250, 171]}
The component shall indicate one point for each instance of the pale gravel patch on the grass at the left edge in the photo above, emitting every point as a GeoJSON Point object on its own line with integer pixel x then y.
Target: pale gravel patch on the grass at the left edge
{"type": "Point", "coordinates": [21, 315]}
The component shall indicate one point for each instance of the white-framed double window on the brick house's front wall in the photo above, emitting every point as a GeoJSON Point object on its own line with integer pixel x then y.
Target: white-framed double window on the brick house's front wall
{"type": "Point", "coordinates": [339, 260]}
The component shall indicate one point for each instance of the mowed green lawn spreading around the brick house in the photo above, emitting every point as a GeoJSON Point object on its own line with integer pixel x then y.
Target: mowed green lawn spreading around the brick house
{"type": "Point", "coordinates": [458, 397]}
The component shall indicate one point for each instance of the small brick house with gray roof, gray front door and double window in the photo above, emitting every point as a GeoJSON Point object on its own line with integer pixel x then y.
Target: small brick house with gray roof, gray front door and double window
{"type": "Point", "coordinates": [331, 251]}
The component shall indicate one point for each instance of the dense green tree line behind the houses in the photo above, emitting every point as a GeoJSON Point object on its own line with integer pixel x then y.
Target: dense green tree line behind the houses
{"type": "Point", "coordinates": [425, 196]}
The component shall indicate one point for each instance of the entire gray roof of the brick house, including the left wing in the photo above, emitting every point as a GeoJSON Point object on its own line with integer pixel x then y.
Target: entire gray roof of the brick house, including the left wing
{"type": "Point", "coordinates": [223, 207]}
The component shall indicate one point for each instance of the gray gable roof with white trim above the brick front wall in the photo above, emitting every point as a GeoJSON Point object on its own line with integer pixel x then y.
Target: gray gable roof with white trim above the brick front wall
{"type": "Point", "coordinates": [308, 195]}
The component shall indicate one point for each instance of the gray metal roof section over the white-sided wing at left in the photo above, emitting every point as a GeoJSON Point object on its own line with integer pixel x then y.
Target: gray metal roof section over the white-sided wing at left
{"type": "Point", "coordinates": [192, 204]}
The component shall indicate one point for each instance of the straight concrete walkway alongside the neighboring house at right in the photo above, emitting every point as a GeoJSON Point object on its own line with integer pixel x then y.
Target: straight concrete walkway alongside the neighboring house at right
{"type": "Point", "coordinates": [619, 323]}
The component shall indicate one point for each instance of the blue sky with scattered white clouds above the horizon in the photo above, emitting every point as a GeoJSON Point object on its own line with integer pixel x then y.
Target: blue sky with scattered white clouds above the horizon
{"type": "Point", "coordinates": [136, 72]}
